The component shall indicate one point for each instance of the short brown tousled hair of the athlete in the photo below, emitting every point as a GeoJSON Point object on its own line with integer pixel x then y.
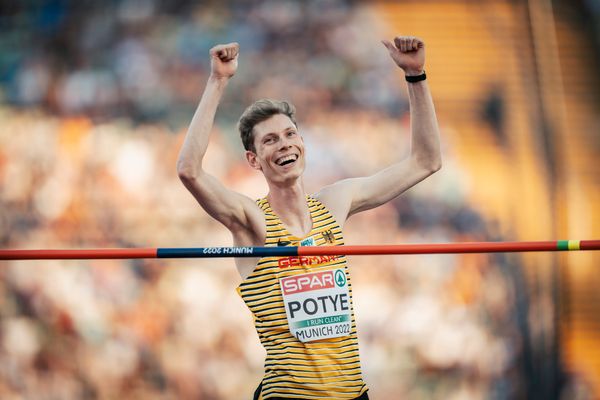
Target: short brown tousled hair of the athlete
{"type": "Point", "coordinates": [260, 111]}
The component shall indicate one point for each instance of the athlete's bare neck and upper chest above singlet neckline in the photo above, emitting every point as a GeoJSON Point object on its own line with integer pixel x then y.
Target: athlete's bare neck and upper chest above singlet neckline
{"type": "Point", "coordinates": [289, 203]}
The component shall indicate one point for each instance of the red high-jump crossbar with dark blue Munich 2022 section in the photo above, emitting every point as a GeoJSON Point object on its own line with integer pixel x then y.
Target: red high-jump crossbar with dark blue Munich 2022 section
{"type": "Point", "coordinates": [224, 252]}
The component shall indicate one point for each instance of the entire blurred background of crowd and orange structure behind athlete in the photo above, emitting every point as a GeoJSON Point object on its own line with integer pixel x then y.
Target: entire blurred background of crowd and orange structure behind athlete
{"type": "Point", "coordinates": [96, 96]}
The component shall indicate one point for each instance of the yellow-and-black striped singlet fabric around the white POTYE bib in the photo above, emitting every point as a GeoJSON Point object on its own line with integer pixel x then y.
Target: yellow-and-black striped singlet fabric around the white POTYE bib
{"type": "Point", "coordinates": [325, 368]}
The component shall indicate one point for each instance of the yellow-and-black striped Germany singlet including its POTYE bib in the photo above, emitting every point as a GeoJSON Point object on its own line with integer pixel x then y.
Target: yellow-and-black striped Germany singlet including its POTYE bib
{"type": "Point", "coordinates": [303, 314]}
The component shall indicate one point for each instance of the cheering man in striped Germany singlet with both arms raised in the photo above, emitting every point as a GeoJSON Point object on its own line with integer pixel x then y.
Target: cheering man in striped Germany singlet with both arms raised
{"type": "Point", "coordinates": [309, 334]}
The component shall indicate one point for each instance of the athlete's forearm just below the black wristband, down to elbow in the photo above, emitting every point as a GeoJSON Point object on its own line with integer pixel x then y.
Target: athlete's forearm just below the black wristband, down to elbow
{"type": "Point", "coordinates": [425, 136]}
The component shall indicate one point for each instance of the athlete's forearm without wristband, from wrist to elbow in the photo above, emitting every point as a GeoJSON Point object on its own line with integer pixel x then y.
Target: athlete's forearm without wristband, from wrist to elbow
{"type": "Point", "coordinates": [198, 133]}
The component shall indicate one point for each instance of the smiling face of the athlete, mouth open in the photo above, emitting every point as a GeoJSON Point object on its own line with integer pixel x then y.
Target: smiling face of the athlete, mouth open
{"type": "Point", "coordinates": [279, 150]}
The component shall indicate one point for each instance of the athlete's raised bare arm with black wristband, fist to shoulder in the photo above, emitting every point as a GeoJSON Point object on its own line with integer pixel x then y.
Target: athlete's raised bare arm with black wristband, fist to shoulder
{"type": "Point", "coordinates": [351, 196]}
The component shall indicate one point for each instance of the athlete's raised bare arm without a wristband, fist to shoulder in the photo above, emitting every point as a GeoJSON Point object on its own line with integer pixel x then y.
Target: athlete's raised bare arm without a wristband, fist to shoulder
{"type": "Point", "coordinates": [232, 209]}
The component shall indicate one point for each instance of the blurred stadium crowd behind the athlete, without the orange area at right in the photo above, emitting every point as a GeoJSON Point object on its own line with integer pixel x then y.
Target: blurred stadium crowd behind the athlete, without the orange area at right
{"type": "Point", "coordinates": [96, 97]}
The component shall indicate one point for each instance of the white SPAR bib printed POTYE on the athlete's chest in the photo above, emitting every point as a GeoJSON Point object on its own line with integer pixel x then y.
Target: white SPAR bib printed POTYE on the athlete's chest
{"type": "Point", "coordinates": [317, 305]}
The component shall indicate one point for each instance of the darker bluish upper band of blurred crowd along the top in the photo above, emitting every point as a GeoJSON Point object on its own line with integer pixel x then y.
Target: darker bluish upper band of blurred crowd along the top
{"type": "Point", "coordinates": [146, 59]}
